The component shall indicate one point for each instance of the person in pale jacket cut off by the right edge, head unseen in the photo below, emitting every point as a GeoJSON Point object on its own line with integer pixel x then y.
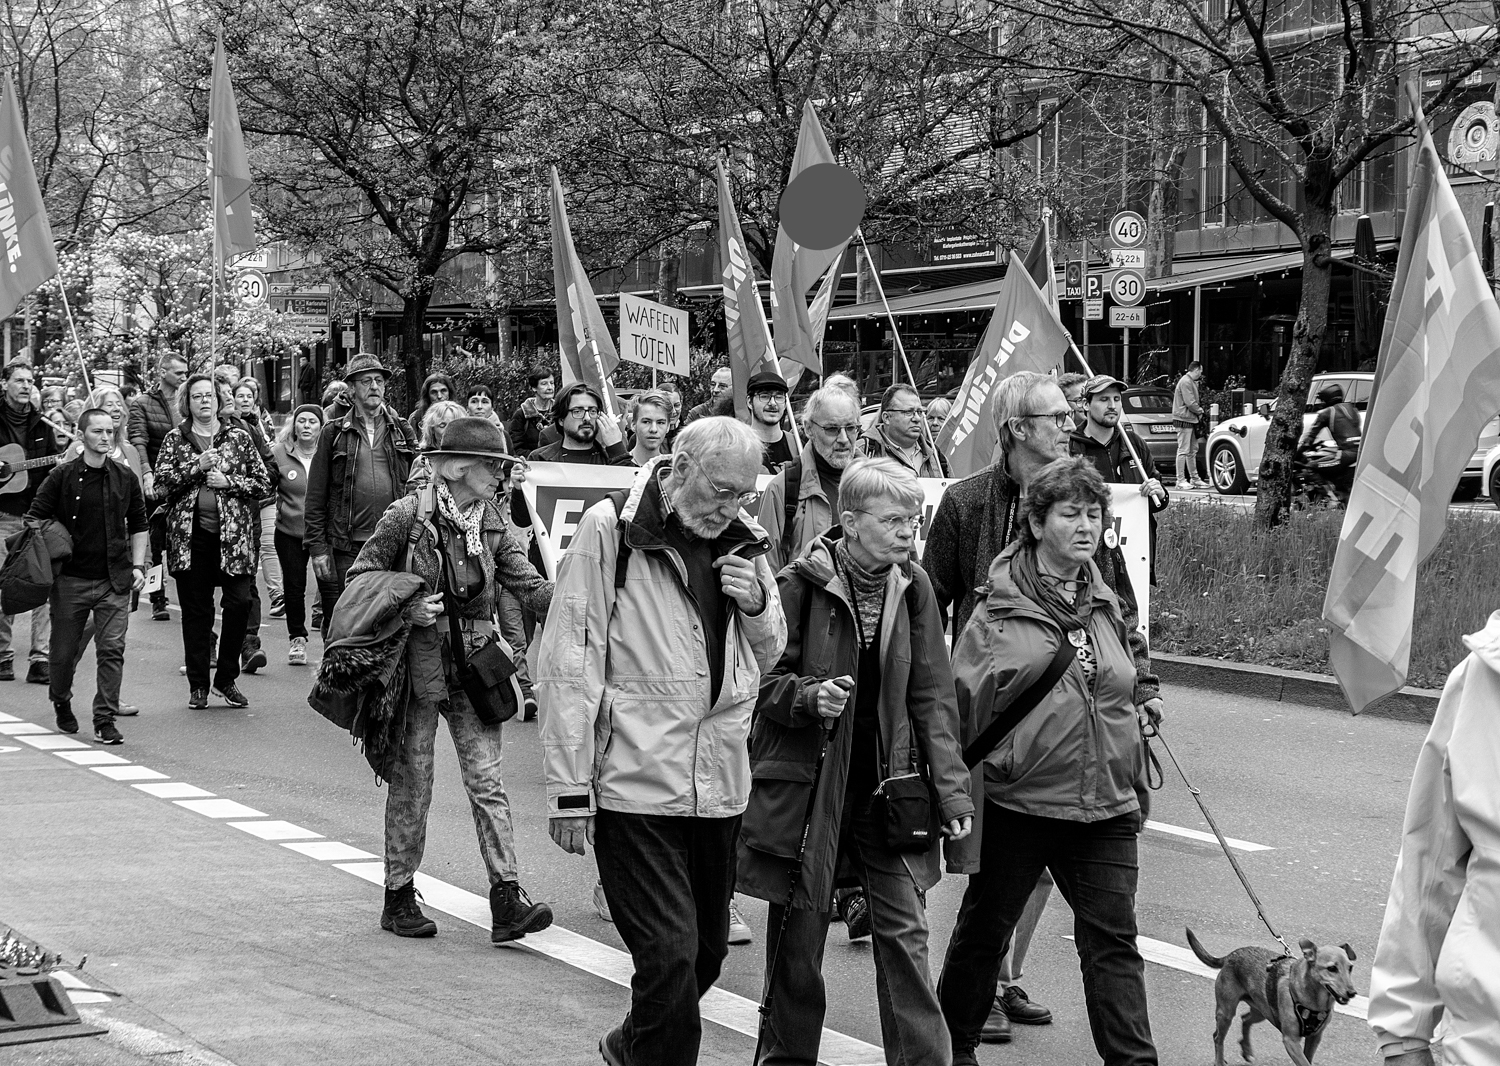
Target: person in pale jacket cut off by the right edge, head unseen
{"type": "Point", "coordinates": [1436, 983]}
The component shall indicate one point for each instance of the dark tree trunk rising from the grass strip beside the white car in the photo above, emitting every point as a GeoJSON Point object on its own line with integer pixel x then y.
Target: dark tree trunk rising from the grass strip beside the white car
{"type": "Point", "coordinates": [1307, 341]}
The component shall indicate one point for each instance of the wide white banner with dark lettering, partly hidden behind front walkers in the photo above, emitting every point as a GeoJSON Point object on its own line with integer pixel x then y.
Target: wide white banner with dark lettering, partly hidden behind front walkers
{"type": "Point", "coordinates": [560, 494]}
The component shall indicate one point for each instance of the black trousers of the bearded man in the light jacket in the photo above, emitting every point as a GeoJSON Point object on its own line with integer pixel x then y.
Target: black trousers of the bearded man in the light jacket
{"type": "Point", "coordinates": [668, 882]}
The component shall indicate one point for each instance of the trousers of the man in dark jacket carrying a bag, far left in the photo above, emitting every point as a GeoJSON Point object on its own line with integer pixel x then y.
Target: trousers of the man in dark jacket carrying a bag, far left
{"type": "Point", "coordinates": [74, 600]}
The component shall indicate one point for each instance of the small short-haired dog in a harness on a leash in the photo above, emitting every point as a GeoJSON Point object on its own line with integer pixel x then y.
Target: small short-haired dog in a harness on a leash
{"type": "Point", "coordinates": [1294, 995]}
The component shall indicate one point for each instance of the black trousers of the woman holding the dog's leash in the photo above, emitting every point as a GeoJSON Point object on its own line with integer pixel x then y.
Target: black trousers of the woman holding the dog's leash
{"type": "Point", "coordinates": [1096, 869]}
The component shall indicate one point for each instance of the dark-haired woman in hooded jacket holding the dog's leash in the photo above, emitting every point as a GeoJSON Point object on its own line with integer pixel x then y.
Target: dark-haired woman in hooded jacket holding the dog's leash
{"type": "Point", "coordinates": [1046, 656]}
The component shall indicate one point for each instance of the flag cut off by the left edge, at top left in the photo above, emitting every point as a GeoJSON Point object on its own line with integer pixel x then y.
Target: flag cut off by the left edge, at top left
{"type": "Point", "coordinates": [29, 254]}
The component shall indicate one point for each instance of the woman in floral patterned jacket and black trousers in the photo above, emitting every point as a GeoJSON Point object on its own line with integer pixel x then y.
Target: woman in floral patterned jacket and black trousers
{"type": "Point", "coordinates": [212, 481]}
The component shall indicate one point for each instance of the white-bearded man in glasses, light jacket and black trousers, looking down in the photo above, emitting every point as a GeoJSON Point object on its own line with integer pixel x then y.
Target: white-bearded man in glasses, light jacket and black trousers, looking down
{"type": "Point", "coordinates": [664, 618]}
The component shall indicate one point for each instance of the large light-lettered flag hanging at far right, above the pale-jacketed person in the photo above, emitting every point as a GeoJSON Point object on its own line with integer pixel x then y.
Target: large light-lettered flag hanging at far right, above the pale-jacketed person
{"type": "Point", "coordinates": [1438, 383]}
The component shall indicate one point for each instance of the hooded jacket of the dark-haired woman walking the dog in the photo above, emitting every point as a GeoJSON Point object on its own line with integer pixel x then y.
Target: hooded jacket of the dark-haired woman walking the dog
{"type": "Point", "coordinates": [1079, 753]}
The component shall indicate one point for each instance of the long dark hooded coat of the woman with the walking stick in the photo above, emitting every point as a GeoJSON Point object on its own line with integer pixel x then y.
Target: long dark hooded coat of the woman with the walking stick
{"type": "Point", "coordinates": [919, 726]}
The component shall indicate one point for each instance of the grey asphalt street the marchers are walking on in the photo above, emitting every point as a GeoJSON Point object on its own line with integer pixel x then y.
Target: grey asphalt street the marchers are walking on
{"type": "Point", "coordinates": [262, 953]}
